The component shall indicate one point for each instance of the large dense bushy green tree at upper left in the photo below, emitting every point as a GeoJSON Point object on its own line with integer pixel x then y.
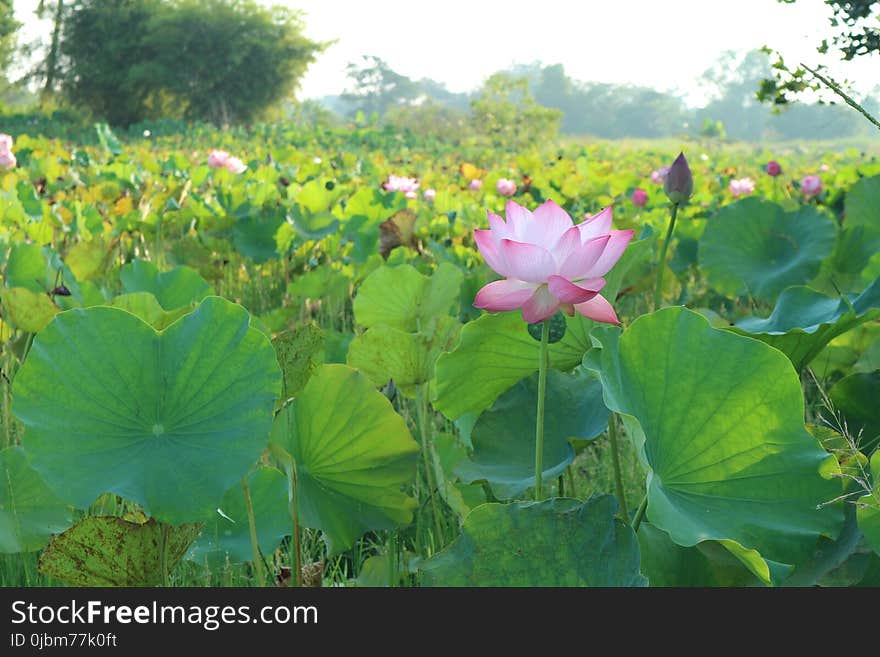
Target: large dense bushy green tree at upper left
{"type": "Point", "coordinates": [217, 60]}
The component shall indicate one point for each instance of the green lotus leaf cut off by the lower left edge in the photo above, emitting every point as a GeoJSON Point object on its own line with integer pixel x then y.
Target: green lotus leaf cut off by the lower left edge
{"type": "Point", "coordinates": [29, 512]}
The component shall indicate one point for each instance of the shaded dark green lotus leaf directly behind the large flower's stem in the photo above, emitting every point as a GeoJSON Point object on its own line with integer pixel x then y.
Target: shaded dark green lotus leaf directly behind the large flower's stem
{"type": "Point", "coordinates": [503, 437]}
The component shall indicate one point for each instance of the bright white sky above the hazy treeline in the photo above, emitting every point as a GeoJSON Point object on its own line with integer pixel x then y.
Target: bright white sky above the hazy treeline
{"type": "Point", "coordinates": [666, 44]}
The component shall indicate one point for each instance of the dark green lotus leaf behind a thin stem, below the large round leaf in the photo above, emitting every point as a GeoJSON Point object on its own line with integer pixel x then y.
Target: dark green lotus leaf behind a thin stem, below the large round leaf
{"type": "Point", "coordinates": [226, 537]}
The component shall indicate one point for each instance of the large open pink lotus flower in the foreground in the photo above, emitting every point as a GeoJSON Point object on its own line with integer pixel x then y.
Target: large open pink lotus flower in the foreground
{"type": "Point", "coordinates": [549, 263]}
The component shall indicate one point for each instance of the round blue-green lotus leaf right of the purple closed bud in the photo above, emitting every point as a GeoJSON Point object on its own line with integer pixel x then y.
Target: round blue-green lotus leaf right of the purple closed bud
{"type": "Point", "coordinates": [754, 247]}
